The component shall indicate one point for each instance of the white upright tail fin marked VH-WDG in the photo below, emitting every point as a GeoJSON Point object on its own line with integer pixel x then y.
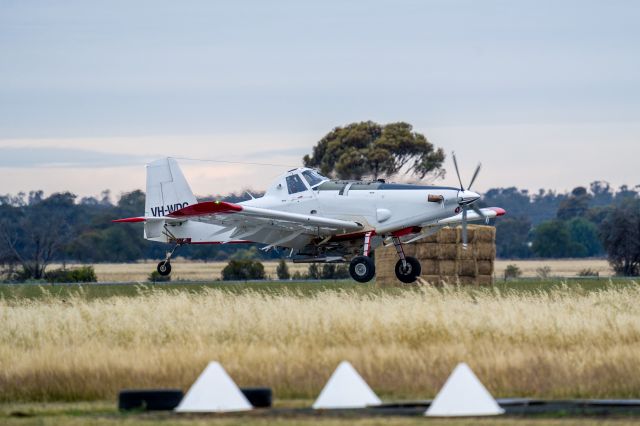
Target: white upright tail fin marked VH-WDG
{"type": "Point", "coordinates": [167, 189]}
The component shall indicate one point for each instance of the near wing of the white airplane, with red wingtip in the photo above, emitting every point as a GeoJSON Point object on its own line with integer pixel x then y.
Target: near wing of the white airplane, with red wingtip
{"type": "Point", "coordinates": [232, 215]}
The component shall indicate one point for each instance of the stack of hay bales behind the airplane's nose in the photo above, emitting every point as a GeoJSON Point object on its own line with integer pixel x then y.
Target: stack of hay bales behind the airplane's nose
{"type": "Point", "coordinates": [443, 259]}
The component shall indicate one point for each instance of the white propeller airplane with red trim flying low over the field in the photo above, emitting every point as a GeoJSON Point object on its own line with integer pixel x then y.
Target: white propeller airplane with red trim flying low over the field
{"type": "Point", "coordinates": [319, 219]}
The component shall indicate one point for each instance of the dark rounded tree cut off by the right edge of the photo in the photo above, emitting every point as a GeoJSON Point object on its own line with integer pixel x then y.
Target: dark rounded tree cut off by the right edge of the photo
{"type": "Point", "coordinates": [620, 236]}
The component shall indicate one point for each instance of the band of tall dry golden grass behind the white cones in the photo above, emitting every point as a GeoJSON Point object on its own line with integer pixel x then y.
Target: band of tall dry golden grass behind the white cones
{"type": "Point", "coordinates": [564, 343]}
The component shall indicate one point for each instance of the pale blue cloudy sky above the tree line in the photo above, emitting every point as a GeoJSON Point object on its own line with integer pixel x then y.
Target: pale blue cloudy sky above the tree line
{"type": "Point", "coordinates": [546, 94]}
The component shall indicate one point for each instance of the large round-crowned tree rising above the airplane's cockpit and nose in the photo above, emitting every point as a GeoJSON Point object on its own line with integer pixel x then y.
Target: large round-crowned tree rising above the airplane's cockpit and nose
{"type": "Point", "coordinates": [370, 149]}
